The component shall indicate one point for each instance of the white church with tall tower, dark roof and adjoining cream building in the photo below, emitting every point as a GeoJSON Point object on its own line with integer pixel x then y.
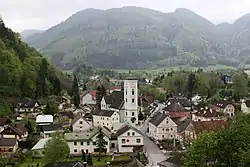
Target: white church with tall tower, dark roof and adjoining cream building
{"type": "Point", "coordinates": [119, 107]}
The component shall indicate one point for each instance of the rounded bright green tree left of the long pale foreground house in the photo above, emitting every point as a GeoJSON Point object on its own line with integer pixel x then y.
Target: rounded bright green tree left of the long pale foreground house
{"type": "Point", "coordinates": [56, 149]}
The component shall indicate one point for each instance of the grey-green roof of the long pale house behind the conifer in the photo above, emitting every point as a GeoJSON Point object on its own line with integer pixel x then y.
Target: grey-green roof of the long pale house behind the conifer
{"type": "Point", "coordinates": [85, 135]}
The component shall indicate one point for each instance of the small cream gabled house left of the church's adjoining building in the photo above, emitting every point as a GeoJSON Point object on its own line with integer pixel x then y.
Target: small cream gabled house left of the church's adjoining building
{"type": "Point", "coordinates": [79, 124]}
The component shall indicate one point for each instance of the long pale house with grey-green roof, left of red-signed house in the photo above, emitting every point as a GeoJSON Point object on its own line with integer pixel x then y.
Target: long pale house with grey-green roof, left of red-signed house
{"type": "Point", "coordinates": [86, 141]}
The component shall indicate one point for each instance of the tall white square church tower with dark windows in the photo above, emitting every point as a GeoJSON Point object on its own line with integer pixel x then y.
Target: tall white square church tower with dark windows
{"type": "Point", "coordinates": [131, 101]}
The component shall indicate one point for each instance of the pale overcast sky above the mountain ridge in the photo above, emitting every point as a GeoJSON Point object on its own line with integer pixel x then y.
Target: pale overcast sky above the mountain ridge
{"type": "Point", "coordinates": [42, 14]}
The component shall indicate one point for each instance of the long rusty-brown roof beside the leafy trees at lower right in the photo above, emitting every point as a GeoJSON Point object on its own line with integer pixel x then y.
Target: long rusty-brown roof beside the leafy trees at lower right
{"type": "Point", "coordinates": [208, 126]}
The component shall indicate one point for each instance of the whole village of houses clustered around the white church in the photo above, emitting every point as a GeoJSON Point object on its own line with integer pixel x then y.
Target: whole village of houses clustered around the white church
{"type": "Point", "coordinates": [130, 123]}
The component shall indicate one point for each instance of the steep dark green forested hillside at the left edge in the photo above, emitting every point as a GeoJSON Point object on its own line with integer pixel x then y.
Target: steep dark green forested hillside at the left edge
{"type": "Point", "coordinates": [24, 72]}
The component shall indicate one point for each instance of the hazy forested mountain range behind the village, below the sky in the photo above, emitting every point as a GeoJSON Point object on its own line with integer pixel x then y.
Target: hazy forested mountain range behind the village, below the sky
{"type": "Point", "coordinates": [134, 37]}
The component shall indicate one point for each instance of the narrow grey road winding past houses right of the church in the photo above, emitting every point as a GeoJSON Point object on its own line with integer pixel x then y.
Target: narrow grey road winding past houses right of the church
{"type": "Point", "coordinates": [155, 155]}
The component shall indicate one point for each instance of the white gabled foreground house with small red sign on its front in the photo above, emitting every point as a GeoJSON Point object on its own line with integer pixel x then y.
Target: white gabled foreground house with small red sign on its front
{"type": "Point", "coordinates": [129, 138]}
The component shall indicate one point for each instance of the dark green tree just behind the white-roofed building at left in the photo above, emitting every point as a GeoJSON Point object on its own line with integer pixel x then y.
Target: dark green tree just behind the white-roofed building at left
{"type": "Point", "coordinates": [52, 106]}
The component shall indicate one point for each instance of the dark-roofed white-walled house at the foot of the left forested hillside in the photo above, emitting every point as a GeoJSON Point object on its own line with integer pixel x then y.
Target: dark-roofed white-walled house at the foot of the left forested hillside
{"type": "Point", "coordinates": [29, 106]}
